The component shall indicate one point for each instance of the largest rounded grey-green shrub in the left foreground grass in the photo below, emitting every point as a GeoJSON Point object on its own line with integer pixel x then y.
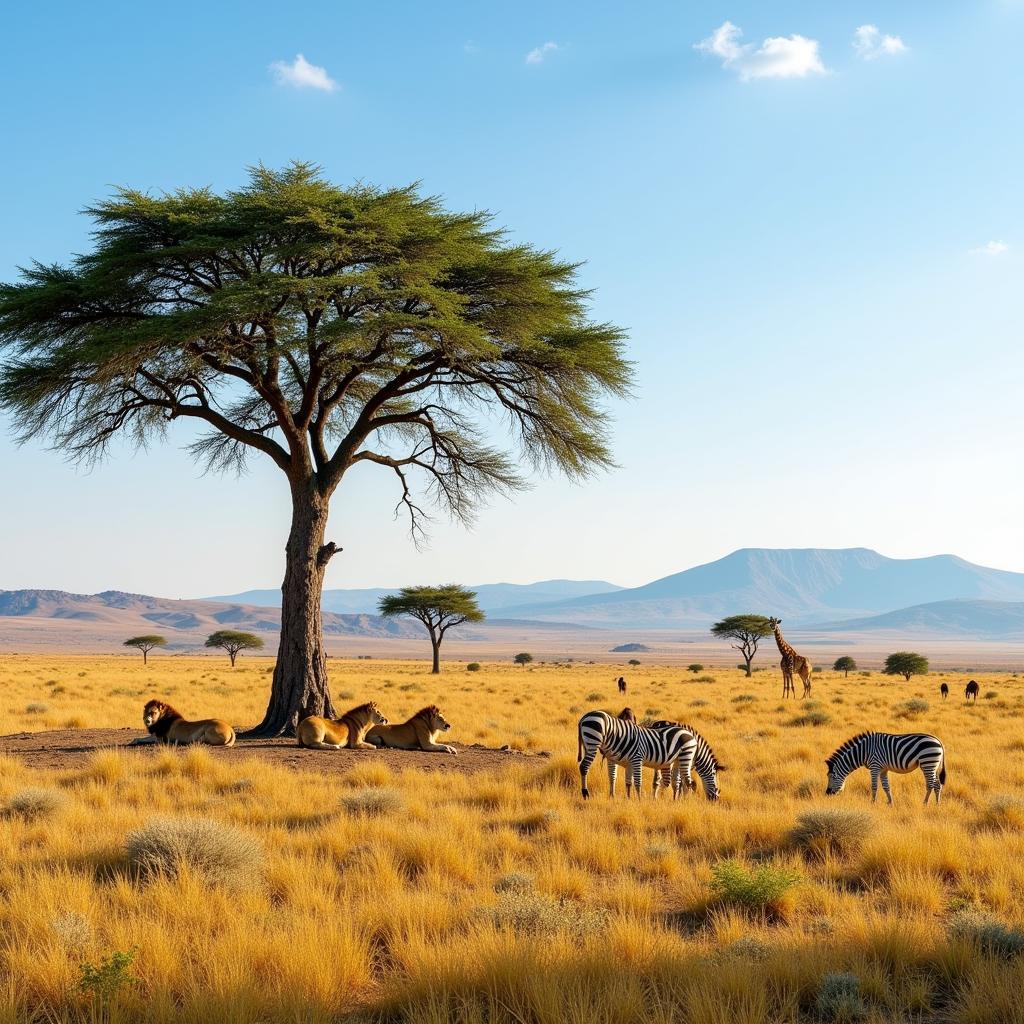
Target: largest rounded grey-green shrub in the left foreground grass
{"type": "Point", "coordinates": [220, 854]}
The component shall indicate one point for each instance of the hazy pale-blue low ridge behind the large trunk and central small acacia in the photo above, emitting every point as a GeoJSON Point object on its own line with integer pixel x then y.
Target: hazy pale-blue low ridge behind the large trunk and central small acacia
{"type": "Point", "coordinates": [493, 598]}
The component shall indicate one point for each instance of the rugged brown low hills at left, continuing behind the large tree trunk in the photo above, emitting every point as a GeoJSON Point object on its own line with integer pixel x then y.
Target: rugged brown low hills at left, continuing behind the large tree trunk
{"type": "Point", "coordinates": [185, 623]}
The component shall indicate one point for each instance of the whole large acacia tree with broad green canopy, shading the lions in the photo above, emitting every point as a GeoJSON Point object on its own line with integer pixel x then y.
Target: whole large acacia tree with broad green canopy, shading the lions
{"type": "Point", "coordinates": [322, 328]}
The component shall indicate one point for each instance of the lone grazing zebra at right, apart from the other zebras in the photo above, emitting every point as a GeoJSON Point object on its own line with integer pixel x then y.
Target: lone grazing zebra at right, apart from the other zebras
{"type": "Point", "coordinates": [882, 753]}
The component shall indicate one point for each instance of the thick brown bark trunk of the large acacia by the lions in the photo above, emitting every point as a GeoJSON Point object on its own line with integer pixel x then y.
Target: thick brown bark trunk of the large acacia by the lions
{"type": "Point", "coordinates": [301, 685]}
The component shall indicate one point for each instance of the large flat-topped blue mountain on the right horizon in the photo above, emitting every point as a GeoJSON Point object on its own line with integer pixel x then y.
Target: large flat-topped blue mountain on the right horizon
{"type": "Point", "coordinates": [802, 586]}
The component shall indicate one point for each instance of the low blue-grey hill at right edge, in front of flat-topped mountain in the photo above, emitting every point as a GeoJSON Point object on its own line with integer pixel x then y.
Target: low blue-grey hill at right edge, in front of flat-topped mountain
{"type": "Point", "coordinates": [980, 620]}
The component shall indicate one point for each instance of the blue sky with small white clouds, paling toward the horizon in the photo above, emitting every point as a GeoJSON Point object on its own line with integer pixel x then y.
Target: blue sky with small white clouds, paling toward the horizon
{"type": "Point", "coordinates": [808, 218]}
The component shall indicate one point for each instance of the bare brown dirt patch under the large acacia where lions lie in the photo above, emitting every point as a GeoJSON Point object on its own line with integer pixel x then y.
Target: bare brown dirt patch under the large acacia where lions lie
{"type": "Point", "coordinates": [64, 749]}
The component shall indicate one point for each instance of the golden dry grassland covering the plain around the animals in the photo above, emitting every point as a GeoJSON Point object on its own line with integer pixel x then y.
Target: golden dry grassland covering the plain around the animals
{"type": "Point", "coordinates": [422, 898]}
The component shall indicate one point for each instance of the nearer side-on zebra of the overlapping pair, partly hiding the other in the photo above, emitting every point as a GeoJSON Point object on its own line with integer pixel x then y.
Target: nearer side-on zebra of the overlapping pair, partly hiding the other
{"type": "Point", "coordinates": [631, 745]}
